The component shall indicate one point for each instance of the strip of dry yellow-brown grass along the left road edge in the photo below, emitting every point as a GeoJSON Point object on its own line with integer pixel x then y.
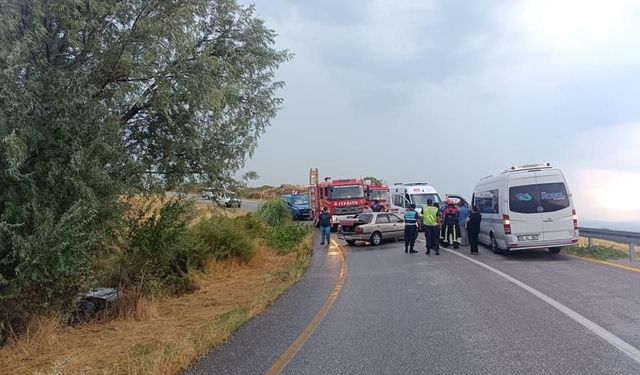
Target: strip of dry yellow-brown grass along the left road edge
{"type": "Point", "coordinates": [164, 336]}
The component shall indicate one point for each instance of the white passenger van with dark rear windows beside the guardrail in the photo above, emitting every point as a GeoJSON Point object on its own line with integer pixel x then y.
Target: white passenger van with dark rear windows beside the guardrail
{"type": "Point", "coordinates": [526, 207]}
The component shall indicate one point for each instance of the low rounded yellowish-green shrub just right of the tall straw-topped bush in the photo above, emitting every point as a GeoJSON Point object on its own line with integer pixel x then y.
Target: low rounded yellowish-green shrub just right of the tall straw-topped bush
{"type": "Point", "coordinates": [221, 237]}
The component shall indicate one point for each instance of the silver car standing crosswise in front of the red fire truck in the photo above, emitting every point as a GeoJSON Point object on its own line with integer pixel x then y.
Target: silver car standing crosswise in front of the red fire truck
{"type": "Point", "coordinates": [374, 227]}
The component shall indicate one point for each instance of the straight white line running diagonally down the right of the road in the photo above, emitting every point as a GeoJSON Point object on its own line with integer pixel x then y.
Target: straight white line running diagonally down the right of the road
{"type": "Point", "coordinates": [609, 337]}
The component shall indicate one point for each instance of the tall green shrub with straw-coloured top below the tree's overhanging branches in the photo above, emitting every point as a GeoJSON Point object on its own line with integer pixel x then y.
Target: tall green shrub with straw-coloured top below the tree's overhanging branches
{"type": "Point", "coordinates": [156, 249]}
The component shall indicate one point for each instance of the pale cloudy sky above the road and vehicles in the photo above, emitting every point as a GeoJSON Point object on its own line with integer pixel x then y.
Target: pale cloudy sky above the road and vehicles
{"type": "Point", "coordinates": [451, 91]}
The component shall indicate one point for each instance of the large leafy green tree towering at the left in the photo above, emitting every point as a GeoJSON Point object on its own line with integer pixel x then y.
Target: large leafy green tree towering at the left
{"type": "Point", "coordinates": [102, 97]}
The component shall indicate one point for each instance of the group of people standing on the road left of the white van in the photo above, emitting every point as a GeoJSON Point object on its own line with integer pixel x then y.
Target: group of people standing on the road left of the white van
{"type": "Point", "coordinates": [442, 226]}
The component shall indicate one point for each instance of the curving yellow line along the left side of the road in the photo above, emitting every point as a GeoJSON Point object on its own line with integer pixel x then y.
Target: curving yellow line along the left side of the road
{"type": "Point", "coordinates": [293, 349]}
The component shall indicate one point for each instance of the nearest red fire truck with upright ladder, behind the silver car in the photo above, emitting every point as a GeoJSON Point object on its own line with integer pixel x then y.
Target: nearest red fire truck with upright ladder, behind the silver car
{"type": "Point", "coordinates": [343, 198]}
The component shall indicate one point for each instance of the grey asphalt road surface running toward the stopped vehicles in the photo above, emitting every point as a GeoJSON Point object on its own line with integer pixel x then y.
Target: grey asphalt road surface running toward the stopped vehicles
{"type": "Point", "coordinates": [524, 313]}
